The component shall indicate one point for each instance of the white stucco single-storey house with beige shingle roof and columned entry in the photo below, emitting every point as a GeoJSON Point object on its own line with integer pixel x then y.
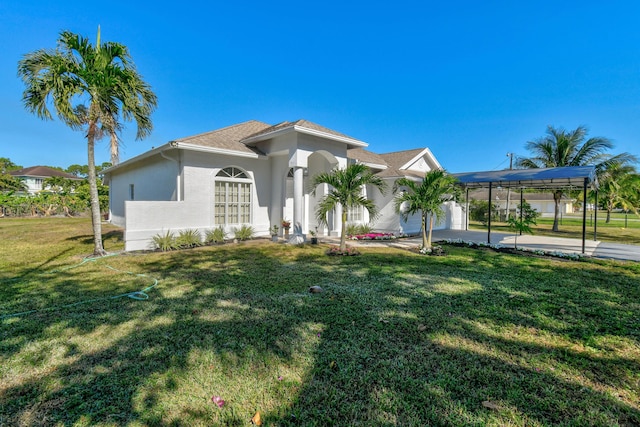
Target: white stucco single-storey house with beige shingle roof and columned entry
{"type": "Point", "coordinates": [257, 174]}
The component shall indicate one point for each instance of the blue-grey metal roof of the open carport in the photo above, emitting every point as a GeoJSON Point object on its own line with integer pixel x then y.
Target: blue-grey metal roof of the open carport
{"type": "Point", "coordinates": [563, 177]}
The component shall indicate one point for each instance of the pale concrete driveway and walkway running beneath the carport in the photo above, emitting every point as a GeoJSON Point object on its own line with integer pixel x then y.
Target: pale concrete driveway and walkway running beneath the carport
{"type": "Point", "coordinates": [593, 248]}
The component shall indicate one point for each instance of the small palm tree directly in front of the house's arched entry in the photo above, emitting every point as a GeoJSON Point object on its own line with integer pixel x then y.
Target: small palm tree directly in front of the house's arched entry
{"type": "Point", "coordinates": [346, 191]}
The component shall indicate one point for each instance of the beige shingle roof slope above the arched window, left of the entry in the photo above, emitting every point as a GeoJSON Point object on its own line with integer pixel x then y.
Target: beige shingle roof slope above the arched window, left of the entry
{"type": "Point", "coordinates": [227, 138]}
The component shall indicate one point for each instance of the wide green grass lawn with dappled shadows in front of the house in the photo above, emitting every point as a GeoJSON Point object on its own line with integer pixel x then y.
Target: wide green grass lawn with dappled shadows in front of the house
{"type": "Point", "coordinates": [396, 339]}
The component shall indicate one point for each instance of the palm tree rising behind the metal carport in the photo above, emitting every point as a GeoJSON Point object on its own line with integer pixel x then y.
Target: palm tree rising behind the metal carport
{"type": "Point", "coordinates": [561, 148]}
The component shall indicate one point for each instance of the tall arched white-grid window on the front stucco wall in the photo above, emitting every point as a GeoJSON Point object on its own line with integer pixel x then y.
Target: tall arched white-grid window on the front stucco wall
{"type": "Point", "coordinates": [232, 197]}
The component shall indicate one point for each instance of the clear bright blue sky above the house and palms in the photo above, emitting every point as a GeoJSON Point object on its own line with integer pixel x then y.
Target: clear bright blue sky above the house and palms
{"type": "Point", "coordinates": [470, 80]}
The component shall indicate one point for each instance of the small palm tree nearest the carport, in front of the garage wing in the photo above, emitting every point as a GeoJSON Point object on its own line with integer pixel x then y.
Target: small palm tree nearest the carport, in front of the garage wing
{"type": "Point", "coordinates": [425, 197]}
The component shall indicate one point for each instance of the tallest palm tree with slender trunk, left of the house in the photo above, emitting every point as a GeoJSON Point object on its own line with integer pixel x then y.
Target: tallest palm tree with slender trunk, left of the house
{"type": "Point", "coordinates": [102, 80]}
